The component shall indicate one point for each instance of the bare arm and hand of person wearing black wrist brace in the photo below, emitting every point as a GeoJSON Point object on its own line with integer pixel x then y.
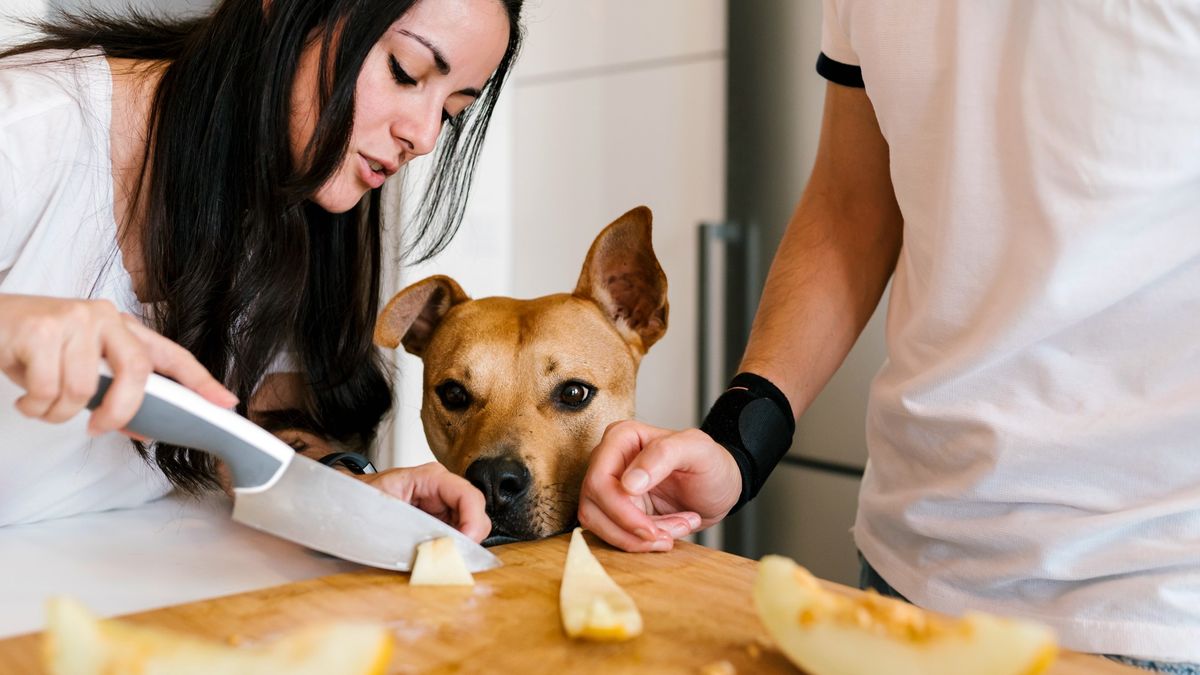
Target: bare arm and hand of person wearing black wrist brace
{"type": "Point", "coordinates": [647, 486]}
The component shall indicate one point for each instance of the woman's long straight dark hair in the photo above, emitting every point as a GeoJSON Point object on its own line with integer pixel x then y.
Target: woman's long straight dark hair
{"type": "Point", "coordinates": [244, 265]}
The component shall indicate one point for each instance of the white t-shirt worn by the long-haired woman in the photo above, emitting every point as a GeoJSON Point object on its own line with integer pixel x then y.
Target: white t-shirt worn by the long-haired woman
{"type": "Point", "coordinates": [58, 238]}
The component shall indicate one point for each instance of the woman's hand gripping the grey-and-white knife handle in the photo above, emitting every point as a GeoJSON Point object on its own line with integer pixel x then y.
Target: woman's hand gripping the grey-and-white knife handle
{"type": "Point", "coordinates": [52, 348]}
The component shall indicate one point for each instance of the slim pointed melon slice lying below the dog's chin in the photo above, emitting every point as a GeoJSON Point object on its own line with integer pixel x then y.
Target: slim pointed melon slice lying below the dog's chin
{"type": "Point", "coordinates": [592, 605]}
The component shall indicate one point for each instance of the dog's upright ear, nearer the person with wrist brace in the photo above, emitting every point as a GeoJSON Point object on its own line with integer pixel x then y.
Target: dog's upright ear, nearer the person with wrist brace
{"type": "Point", "coordinates": [623, 277]}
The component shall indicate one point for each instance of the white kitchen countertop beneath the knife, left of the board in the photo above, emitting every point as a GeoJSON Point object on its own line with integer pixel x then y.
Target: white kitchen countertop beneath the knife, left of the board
{"type": "Point", "coordinates": [170, 552]}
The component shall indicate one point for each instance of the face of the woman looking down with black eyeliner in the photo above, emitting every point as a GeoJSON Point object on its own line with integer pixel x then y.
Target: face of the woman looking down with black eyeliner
{"type": "Point", "coordinates": [428, 68]}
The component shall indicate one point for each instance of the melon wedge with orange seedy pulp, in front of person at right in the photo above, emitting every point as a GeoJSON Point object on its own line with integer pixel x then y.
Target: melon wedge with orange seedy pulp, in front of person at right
{"type": "Point", "coordinates": [826, 634]}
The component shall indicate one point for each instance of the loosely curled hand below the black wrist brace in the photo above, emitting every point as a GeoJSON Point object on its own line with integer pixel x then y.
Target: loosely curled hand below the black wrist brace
{"type": "Point", "coordinates": [647, 487]}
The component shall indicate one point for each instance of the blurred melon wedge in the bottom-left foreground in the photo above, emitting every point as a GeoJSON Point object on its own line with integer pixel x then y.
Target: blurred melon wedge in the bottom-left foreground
{"type": "Point", "coordinates": [77, 643]}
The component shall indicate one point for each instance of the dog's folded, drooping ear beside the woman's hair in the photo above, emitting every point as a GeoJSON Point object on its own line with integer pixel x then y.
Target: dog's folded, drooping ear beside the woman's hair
{"type": "Point", "coordinates": [415, 314]}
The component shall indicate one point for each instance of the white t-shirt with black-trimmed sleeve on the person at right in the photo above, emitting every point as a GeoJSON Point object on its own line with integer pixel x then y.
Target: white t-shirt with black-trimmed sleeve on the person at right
{"type": "Point", "coordinates": [1035, 433]}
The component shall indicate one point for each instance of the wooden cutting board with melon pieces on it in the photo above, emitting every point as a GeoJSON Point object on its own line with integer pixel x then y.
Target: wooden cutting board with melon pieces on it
{"type": "Point", "coordinates": [695, 604]}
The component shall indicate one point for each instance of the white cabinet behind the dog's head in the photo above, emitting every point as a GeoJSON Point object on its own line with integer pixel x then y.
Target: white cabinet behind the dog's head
{"type": "Point", "coordinates": [614, 104]}
